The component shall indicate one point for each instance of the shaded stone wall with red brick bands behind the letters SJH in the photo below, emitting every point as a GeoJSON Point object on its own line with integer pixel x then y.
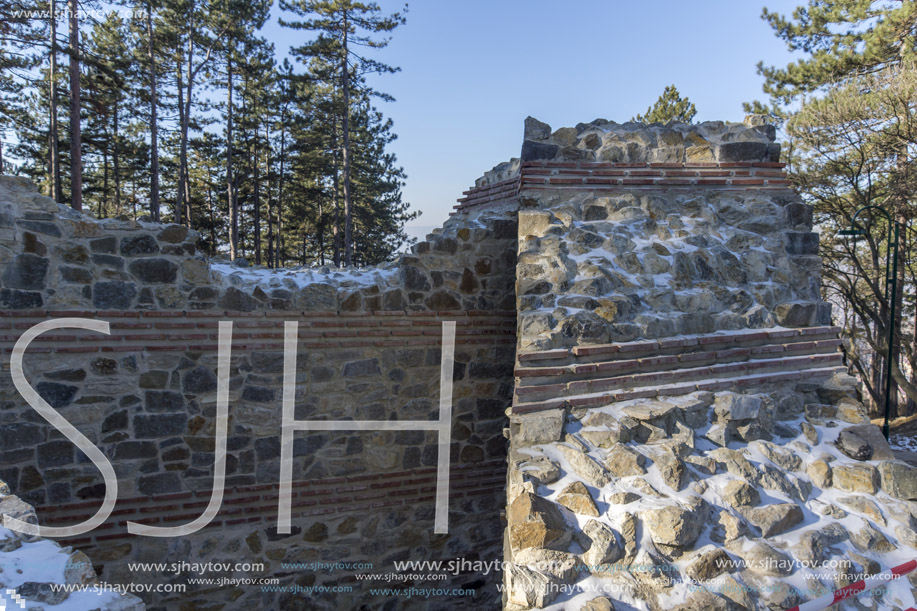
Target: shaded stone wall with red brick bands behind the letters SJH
{"type": "Point", "coordinates": [369, 348]}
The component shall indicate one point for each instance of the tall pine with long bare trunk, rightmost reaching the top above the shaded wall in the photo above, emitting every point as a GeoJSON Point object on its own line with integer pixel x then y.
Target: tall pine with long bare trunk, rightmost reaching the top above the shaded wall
{"type": "Point", "coordinates": [342, 24]}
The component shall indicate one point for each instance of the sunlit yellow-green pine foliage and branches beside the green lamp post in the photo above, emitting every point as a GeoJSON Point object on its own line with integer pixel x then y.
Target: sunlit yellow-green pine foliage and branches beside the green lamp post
{"type": "Point", "coordinates": [843, 43]}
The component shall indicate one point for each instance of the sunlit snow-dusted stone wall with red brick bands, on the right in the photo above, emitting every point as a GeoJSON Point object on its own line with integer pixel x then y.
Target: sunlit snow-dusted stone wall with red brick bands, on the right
{"type": "Point", "coordinates": [684, 434]}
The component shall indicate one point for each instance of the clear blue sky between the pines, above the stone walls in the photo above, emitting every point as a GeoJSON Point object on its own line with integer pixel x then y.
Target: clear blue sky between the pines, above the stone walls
{"type": "Point", "coordinates": [472, 70]}
